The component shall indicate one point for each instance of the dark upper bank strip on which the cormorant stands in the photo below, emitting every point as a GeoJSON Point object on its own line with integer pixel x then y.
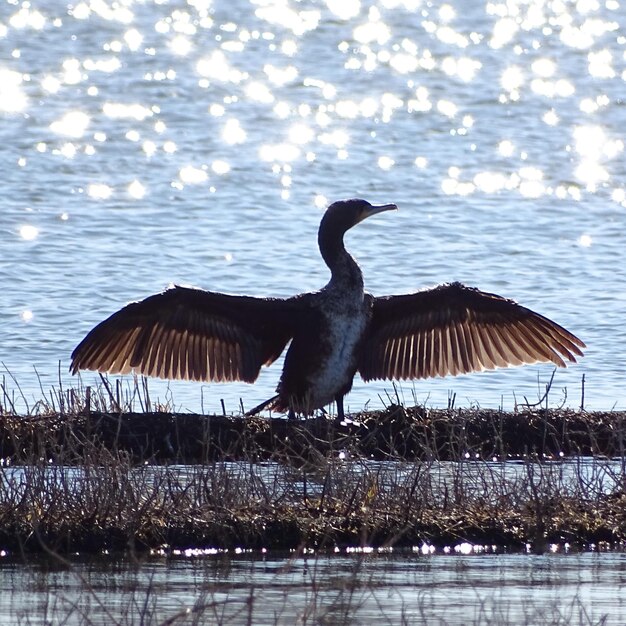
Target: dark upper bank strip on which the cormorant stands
{"type": "Point", "coordinates": [410, 434]}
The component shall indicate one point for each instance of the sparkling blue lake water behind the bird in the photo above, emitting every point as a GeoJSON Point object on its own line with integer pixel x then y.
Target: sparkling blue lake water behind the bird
{"type": "Point", "coordinates": [149, 142]}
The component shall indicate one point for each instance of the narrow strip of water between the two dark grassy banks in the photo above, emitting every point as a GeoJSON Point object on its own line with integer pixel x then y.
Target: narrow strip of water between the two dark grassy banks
{"type": "Point", "coordinates": [580, 477]}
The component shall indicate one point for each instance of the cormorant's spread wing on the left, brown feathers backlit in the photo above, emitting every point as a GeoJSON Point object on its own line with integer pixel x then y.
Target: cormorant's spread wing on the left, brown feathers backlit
{"type": "Point", "coordinates": [190, 334]}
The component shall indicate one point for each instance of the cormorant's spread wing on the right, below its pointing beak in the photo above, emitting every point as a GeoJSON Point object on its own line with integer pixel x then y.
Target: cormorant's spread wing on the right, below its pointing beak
{"type": "Point", "coordinates": [453, 329]}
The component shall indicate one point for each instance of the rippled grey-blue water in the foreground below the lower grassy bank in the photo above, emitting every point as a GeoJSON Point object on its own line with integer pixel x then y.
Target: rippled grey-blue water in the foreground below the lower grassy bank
{"type": "Point", "coordinates": [554, 588]}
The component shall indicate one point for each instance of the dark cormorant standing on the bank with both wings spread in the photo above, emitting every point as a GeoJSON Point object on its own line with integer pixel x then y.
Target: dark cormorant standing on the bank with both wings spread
{"type": "Point", "coordinates": [333, 333]}
